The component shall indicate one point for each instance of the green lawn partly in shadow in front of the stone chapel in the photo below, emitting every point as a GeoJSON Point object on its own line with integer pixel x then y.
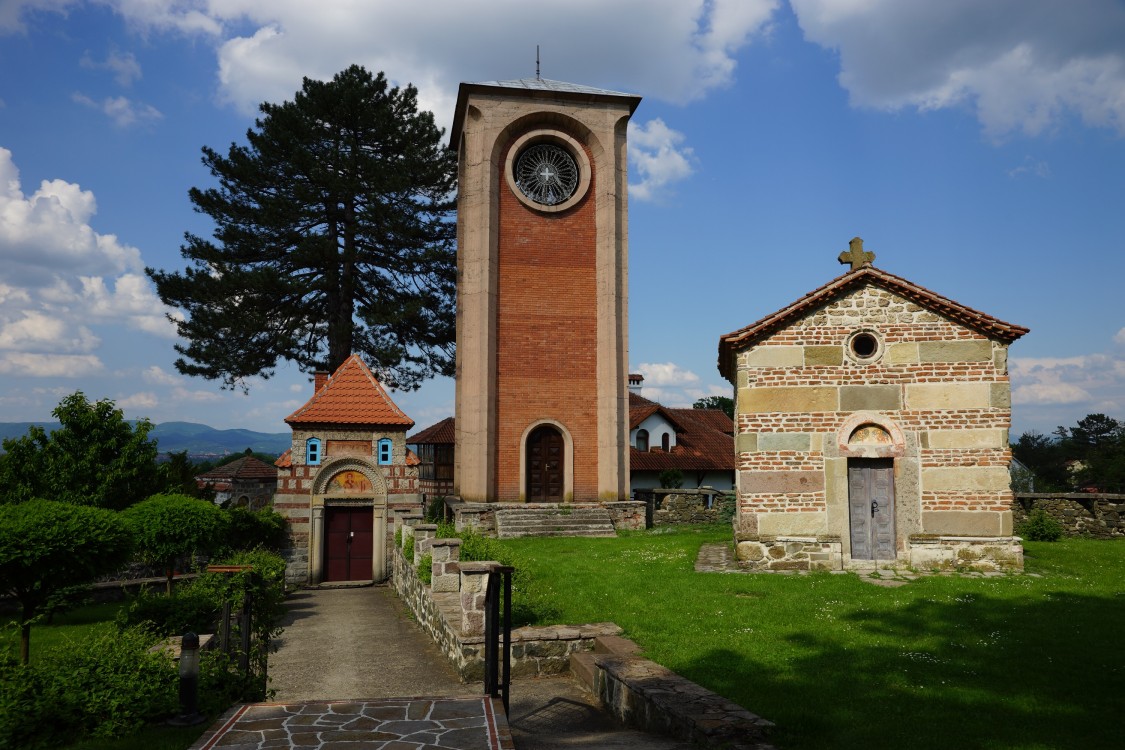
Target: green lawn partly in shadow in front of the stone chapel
{"type": "Point", "coordinates": [943, 663]}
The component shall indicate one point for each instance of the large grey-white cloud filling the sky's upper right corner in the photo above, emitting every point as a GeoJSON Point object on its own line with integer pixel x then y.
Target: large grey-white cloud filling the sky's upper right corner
{"type": "Point", "coordinates": [1022, 65]}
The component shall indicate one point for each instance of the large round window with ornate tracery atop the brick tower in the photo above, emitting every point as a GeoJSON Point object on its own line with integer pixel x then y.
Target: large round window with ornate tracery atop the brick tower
{"type": "Point", "coordinates": [548, 170]}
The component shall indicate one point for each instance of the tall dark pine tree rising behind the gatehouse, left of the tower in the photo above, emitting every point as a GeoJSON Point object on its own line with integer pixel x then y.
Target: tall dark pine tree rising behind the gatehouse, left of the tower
{"type": "Point", "coordinates": [334, 236]}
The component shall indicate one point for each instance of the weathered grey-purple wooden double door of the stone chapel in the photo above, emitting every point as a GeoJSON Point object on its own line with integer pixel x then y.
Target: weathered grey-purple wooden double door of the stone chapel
{"type": "Point", "coordinates": [871, 509]}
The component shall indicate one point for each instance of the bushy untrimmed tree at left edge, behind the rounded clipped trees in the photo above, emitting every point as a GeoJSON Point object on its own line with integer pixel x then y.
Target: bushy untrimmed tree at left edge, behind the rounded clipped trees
{"type": "Point", "coordinates": [95, 458]}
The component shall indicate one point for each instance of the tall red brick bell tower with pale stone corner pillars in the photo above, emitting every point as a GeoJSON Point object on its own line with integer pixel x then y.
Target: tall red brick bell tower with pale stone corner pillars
{"type": "Point", "coordinates": [543, 279]}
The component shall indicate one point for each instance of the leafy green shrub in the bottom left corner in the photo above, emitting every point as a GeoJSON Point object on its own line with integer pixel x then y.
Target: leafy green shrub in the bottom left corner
{"type": "Point", "coordinates": [104, 686]}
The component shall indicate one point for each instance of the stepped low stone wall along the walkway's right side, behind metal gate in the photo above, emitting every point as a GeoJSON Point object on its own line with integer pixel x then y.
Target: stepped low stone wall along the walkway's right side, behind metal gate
{"type": "Point", "coordinates": [455, 619]}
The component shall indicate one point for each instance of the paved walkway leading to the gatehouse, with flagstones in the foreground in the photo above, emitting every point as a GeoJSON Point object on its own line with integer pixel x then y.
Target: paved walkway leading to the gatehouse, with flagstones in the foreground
{"type": "Point", "coordinates": [355, 672]}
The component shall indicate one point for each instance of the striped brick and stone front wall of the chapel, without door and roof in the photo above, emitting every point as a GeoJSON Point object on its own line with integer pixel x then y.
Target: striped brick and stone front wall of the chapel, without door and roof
{"type": "Point", "coordinates": [938, 391]}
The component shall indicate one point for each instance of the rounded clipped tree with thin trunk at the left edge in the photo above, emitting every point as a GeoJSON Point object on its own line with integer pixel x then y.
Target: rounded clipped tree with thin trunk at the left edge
{"type": "Point", "coordinates": [47, 547]}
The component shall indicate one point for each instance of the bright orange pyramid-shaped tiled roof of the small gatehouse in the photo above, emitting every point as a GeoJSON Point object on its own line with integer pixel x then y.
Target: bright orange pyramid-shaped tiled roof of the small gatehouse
{"type": "Point", "coordinates": [353, 396]}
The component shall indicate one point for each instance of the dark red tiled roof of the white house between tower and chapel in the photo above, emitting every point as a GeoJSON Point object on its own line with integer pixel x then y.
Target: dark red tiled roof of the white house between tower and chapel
{"type": "Point", "coordinates": [704, 441]}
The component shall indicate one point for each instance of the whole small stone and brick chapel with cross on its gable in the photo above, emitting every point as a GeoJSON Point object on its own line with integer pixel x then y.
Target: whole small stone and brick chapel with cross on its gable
{"type": "Point", "coordinates": [871, 429]}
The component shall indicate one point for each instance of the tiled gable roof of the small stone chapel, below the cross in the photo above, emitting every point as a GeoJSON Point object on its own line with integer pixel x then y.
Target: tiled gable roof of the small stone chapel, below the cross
{"type": "Point", "coordinates": [843, 285]}
